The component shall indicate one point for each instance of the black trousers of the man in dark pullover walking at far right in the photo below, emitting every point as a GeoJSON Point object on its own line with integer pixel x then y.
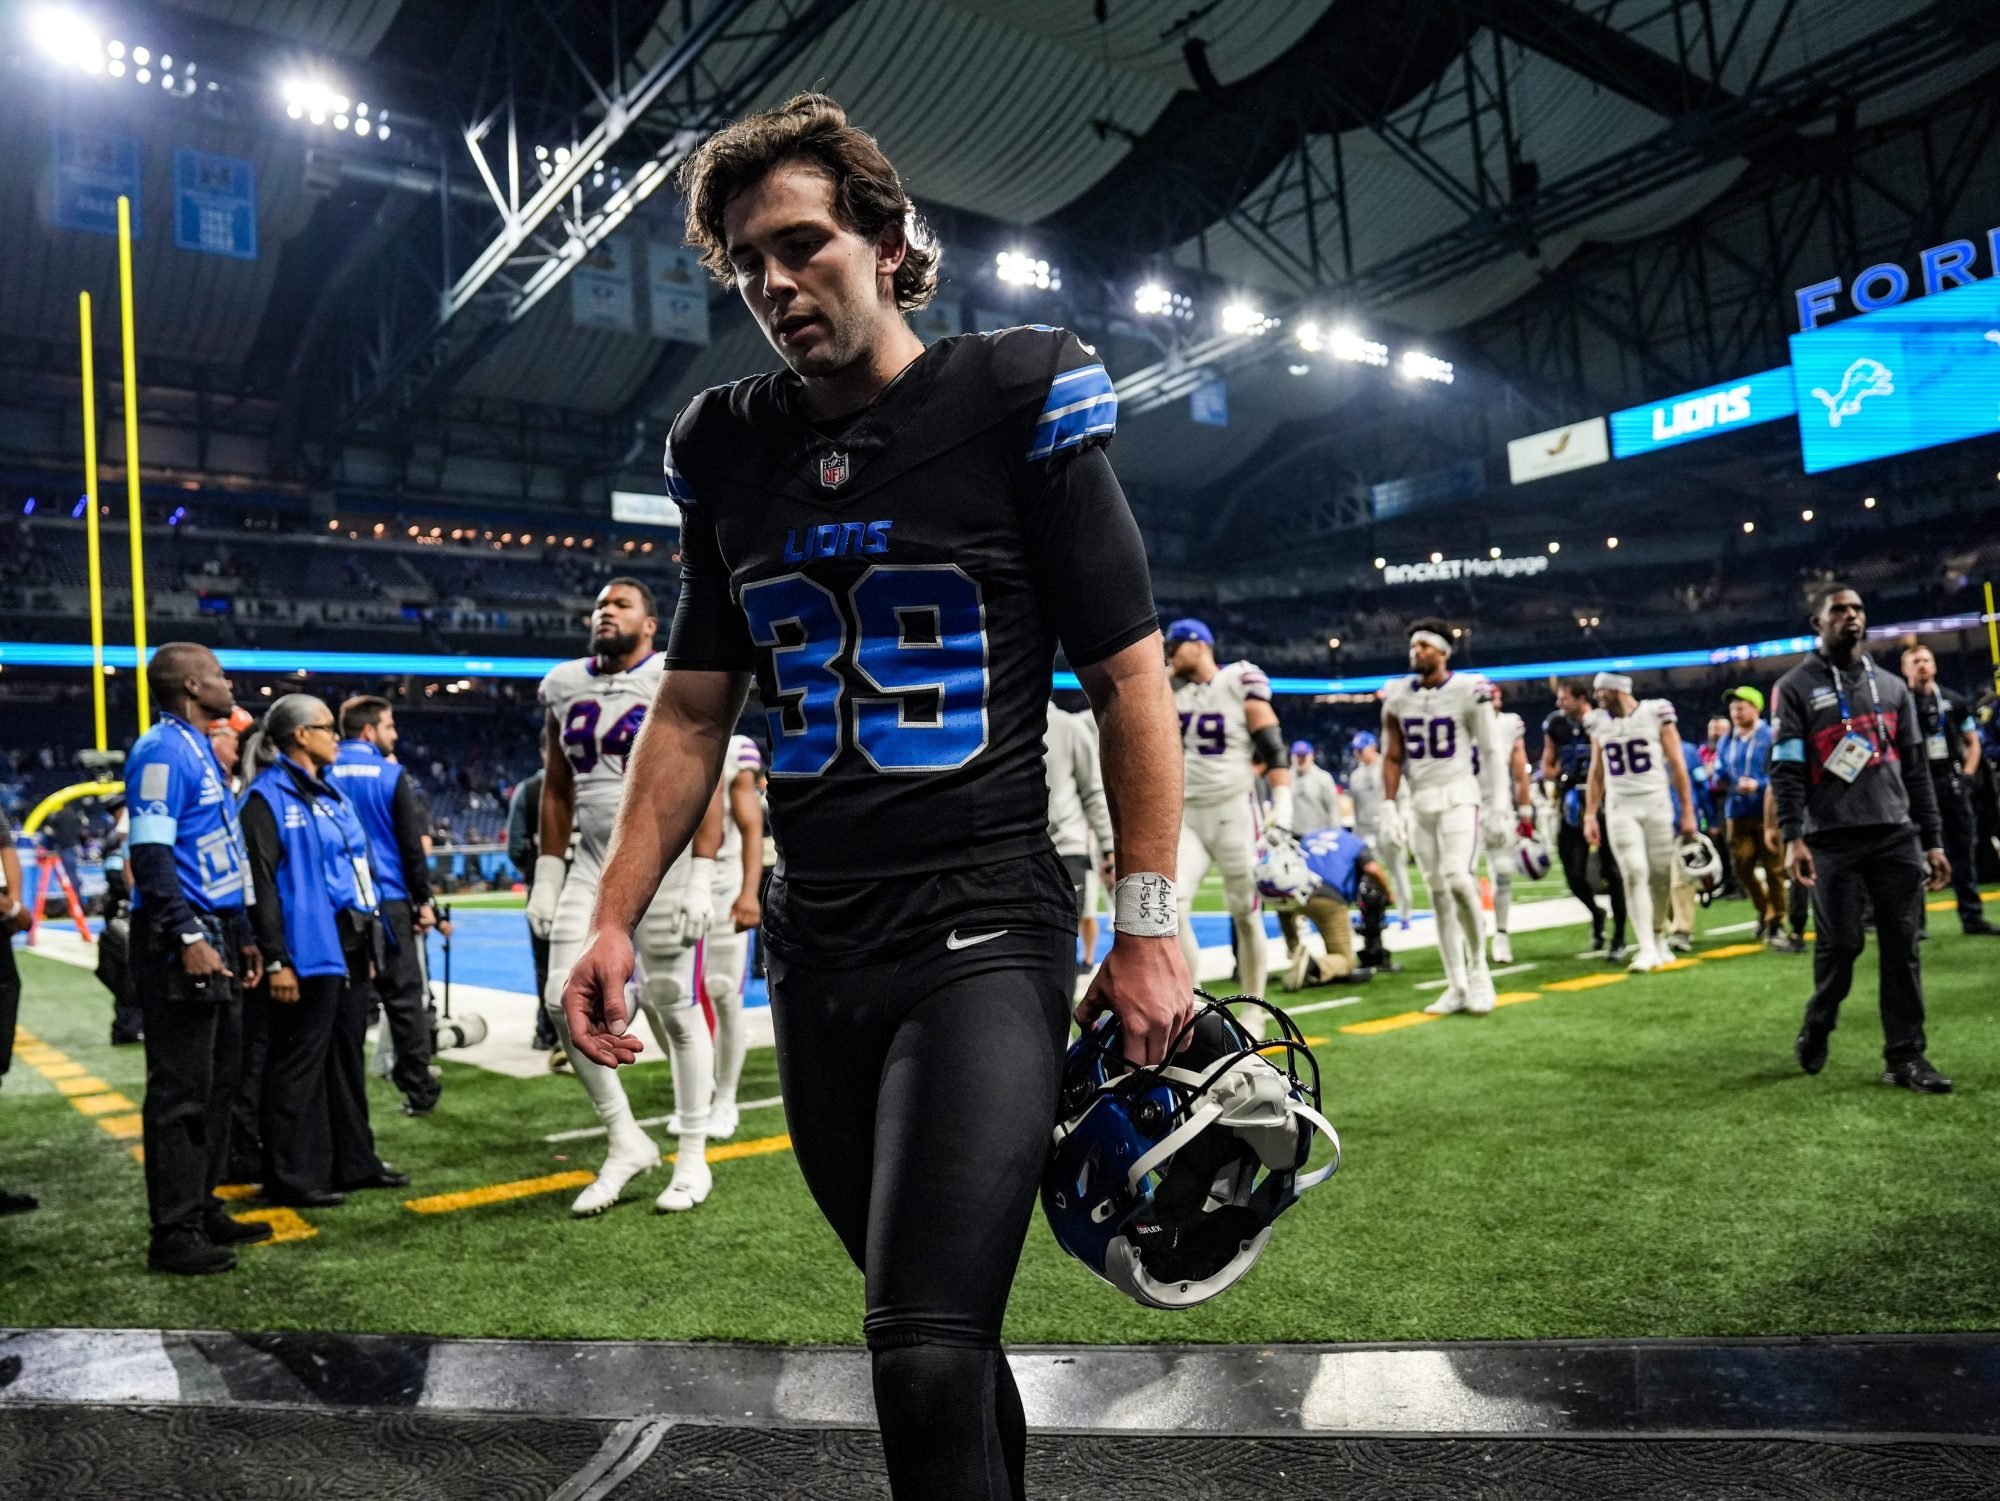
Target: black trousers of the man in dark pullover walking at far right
{"type": "Point", "coordinates": [1855, 868]}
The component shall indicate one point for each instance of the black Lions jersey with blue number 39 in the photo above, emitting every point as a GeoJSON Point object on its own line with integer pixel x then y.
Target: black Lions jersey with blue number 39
{"type": "Point", "coordinates": [899, 589]}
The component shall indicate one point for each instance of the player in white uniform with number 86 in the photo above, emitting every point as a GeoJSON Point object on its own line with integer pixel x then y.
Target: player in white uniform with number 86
{"type": "Point", "coordinates": [1635, 760]}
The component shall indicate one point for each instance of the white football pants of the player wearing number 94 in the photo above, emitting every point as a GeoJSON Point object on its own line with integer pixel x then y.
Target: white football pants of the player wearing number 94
{"type": "Point", "coordinates": [667, 998]}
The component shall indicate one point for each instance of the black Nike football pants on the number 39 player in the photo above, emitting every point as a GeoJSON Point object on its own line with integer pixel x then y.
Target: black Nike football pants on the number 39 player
{"type": "Point", "coordinates": [921, 1096]}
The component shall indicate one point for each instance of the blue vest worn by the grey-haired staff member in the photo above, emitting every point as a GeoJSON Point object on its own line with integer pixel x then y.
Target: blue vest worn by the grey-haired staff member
{"type": "Point", "coordinates": [323, 868]}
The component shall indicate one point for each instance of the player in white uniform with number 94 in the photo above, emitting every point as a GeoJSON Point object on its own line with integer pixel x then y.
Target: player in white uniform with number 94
{"type": "Point", "coordinates": [595, 707]}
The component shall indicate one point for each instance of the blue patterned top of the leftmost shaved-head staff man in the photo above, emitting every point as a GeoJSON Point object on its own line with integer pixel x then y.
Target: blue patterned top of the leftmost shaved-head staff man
{"type": "Point", "coordinates": [179, 798]}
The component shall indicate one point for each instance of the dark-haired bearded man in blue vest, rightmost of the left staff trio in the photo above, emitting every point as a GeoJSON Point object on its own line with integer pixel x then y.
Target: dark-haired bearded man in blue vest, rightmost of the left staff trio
{"type": "Point", "coordinates": [393, 820]}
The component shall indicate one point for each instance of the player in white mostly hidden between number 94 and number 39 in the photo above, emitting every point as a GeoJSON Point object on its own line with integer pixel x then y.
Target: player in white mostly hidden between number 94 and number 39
{"type": "Point", "coordinates": [735, 914]}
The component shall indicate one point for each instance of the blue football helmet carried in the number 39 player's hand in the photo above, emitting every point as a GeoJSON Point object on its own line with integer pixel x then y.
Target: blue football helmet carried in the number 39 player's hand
{"type": "Point", "coordinates": [1167, 1182]}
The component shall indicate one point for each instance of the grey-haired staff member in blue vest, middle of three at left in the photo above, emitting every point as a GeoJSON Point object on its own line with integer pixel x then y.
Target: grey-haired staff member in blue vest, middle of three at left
{"type": "Point", "coordinates": [321, 934]}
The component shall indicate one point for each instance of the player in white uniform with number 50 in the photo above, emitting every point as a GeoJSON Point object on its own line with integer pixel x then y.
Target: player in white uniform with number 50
{"type": "Point", "coordinates": [1433, 725]}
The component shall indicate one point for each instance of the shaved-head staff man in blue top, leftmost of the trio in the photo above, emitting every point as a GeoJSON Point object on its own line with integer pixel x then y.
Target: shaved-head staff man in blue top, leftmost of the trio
{"type": "Point", "coordinates": [191, 956]}
